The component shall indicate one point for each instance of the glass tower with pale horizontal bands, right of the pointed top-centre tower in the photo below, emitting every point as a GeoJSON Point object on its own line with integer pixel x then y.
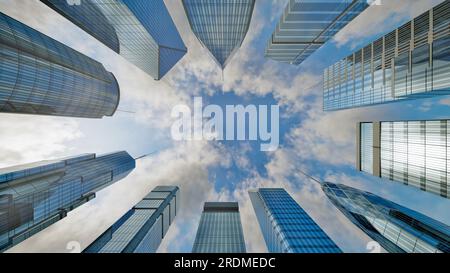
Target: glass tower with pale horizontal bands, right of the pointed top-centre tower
{"type": "Point", "coordinates": [306, 25]}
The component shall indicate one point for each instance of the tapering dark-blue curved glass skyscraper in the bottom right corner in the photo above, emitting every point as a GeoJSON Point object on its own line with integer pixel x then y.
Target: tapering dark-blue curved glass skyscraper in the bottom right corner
{"type": "Point", "coordinates": [396, 228]}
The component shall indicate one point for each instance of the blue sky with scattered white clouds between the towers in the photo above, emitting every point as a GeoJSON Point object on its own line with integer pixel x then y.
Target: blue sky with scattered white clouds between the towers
{"type": "Point", "coordinates": [322, 144]}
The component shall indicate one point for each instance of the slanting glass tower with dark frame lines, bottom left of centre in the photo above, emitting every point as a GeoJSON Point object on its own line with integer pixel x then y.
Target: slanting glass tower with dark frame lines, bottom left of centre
{"type": "Point", "coordinates": [142, 228]}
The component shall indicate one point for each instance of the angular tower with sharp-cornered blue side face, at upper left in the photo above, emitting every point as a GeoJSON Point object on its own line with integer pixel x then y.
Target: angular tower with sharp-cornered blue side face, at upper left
{"type": "Point", "coordinates": [142, 31]}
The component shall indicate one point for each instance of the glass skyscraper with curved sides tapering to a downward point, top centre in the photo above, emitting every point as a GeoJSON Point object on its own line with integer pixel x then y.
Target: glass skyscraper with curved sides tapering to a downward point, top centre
{"type": "Point", "coordinates": [220, 25]}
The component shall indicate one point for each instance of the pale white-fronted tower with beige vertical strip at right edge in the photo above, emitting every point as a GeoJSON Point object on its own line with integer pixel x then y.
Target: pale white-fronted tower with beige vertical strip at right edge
{"type": "Point", "coordinates": [415, 153]}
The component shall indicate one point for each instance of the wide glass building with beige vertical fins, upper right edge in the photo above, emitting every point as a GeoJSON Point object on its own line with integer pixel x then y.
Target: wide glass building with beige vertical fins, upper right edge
{"type": "Point", "coordinates": [410, 62]}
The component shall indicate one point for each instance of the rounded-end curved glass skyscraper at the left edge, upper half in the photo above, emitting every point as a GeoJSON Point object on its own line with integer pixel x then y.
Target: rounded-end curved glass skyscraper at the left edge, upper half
{"type": "Point", "coordinates": [42, 76]}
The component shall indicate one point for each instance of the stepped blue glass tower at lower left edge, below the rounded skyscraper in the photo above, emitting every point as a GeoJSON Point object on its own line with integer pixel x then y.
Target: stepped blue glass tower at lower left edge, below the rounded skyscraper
{"type": "Point", "coordinates": [35, 196]}
